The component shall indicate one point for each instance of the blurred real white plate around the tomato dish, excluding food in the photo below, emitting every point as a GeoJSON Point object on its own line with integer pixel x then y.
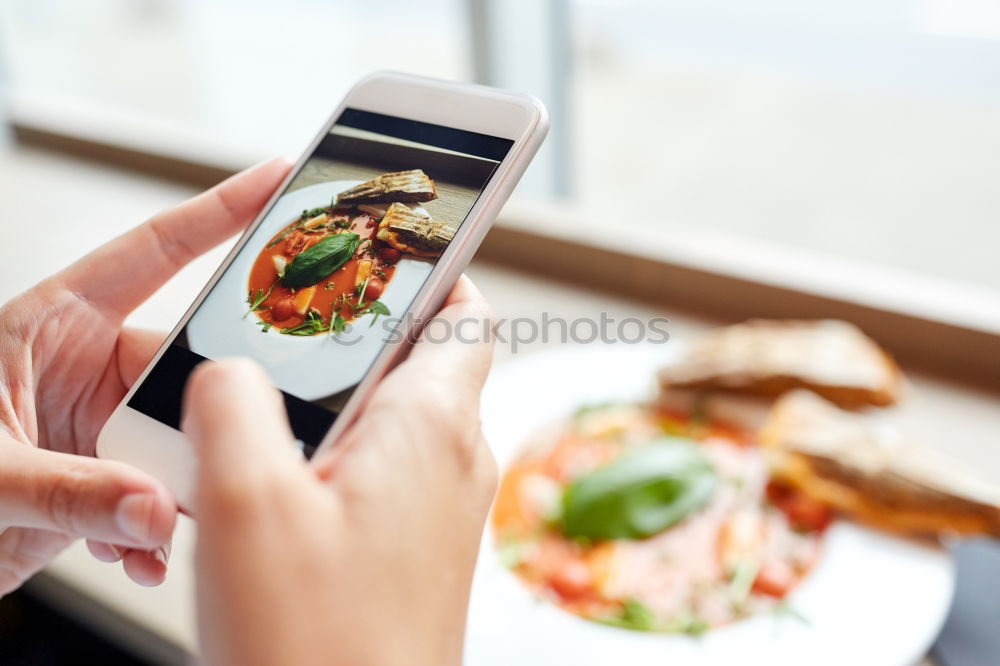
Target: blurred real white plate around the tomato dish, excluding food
{"type": "Point", "coordinates": [871, 599]}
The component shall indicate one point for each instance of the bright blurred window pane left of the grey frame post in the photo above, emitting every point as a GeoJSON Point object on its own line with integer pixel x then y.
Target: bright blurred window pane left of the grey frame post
{"type": "Point", "coordinates": [244, 72]}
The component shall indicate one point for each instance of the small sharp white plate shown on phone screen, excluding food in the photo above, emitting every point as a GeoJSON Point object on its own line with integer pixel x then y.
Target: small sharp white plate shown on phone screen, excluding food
{"type": "Point", "coordinates": [310, 367]}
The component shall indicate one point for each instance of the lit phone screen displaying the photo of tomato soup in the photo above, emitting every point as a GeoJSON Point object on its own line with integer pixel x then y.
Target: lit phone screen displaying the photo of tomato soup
{"type": "Point", "coordinates": [324, 280]}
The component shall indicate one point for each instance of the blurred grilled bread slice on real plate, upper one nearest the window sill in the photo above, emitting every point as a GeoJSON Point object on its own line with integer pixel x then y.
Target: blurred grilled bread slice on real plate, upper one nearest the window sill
{"type": "Point", "coordinates": [769, 357]}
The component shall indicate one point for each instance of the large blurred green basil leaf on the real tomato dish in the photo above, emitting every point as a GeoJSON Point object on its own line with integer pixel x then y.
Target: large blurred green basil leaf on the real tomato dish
{"type": "Point", "coordinates": [641, 493]}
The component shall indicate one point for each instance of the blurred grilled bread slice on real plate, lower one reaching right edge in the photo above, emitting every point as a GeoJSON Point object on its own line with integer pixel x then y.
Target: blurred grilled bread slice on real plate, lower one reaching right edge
{"type": "Point", "coordinates": [872, 474]}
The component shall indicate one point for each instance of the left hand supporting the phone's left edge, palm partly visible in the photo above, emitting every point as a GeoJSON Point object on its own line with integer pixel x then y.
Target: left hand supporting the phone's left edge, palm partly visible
{"type": "Point", "coordinates": [66, 363]}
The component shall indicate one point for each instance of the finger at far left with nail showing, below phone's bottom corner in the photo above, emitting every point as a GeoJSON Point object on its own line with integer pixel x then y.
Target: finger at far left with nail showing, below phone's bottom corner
{"type": "Point", "coordinates": [84, 497]}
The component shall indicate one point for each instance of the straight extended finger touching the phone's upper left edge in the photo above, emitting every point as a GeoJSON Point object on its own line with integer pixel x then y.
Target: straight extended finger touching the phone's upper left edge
{"type": "Point", "coordinates": [123, 273]}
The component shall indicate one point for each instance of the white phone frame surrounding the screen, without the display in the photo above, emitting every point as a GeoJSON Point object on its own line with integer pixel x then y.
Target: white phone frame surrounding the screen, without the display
{"type": "Point", "coordinates": [131, 436]}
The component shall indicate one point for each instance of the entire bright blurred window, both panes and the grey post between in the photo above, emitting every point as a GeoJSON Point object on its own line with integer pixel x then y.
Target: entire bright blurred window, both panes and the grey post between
{"type": "Point", "coordinates": [866, 134]}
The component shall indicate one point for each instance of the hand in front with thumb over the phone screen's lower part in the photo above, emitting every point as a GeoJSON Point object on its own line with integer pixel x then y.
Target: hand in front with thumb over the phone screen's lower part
{"type": "Point", "coordinates": [366, 555]}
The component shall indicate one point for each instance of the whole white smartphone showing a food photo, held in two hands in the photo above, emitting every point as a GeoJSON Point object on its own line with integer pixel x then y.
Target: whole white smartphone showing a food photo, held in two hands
{"type": "Point", "coordinates": [359, 245]}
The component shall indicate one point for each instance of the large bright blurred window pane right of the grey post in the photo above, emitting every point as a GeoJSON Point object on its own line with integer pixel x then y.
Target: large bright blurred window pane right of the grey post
{"type": "Point", "coordinates": [869, 131]}
